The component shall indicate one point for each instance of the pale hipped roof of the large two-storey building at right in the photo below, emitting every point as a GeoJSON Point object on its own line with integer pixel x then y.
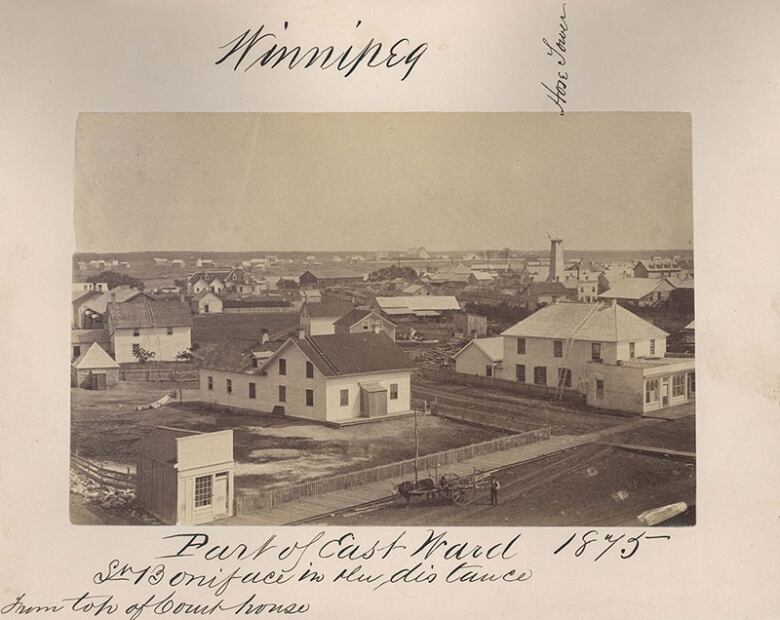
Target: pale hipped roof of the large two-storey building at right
{"type": "Point", "coordinates": [594, 322]}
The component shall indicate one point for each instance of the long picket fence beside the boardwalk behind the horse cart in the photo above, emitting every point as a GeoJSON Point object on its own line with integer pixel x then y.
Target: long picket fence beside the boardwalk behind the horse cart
{"type": "Point", "coordinates": [252, 502]}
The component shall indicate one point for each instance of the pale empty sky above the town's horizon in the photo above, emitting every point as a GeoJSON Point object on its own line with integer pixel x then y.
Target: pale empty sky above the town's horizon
{"type": "Point", "coordinates": [449, 181]}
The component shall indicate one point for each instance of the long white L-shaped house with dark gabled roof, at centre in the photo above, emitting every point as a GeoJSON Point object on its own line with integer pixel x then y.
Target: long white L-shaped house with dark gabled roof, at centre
{"type": "Point", "coordinates": [330, 378]}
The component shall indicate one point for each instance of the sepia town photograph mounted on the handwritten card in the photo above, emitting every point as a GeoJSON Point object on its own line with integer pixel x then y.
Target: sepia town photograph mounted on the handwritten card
{"type": "Point", "coordinates": [398, 319]}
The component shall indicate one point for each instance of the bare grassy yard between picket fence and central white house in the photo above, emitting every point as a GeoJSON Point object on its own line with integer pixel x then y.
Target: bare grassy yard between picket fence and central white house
{"type": "Point", "coordinates": [269, 451]}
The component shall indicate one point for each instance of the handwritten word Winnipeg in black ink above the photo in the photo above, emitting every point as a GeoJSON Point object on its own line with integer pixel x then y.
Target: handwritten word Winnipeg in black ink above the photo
{"type": "Point", "coordinates": [242, 53]}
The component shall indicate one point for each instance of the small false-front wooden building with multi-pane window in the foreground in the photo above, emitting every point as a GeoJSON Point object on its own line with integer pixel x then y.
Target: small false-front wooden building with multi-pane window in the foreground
{"type": "Point", "coordinates": [185, 477]}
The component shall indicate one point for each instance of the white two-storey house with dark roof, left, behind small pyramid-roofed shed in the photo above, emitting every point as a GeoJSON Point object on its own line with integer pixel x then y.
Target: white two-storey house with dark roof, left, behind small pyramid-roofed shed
{"type": "Point", "coordinates": [160, 327]}
